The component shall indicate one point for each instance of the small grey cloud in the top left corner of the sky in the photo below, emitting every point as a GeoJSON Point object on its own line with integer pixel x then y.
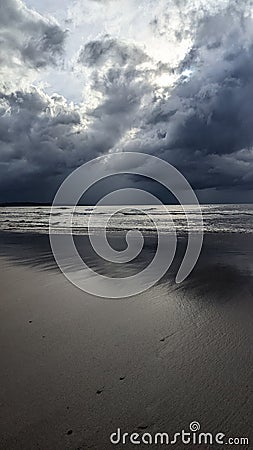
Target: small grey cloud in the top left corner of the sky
{"type": "Point", "coordinates": [27, 37]}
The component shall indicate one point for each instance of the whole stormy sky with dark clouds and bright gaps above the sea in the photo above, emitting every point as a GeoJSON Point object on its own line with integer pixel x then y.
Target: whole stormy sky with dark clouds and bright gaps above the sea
{"type": "Point", "coordinates": [85, 78]}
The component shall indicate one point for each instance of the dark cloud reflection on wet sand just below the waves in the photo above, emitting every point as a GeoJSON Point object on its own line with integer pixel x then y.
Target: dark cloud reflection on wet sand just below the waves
{"type": "Point", "coordinates": [224, 268]}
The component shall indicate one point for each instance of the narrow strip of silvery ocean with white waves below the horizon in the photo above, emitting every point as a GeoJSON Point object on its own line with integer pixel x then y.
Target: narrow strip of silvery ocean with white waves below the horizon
{"type": "Point", "coordinates": [216, 218]}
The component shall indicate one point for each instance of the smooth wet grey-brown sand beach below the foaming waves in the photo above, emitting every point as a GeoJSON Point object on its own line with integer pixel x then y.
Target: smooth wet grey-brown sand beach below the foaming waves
{"type": "Point", "coordinates": [74, 368]}
